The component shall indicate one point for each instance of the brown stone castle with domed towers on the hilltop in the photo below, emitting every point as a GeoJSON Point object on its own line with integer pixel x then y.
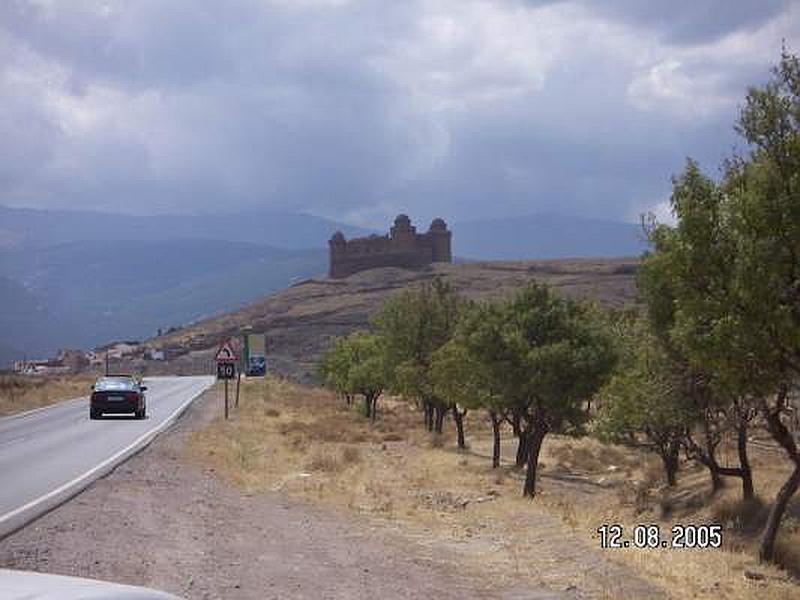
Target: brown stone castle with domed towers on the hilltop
{"type": "Point", "coordinates": [403, 247]}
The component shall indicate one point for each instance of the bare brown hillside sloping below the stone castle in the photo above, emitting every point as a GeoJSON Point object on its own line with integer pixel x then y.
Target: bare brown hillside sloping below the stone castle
{"type": "Point", "coordinates": [300, 321]}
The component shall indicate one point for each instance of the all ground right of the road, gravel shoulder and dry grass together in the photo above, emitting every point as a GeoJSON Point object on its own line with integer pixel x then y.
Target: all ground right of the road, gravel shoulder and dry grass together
{"type": "Point", "coordinates": [298, 496]}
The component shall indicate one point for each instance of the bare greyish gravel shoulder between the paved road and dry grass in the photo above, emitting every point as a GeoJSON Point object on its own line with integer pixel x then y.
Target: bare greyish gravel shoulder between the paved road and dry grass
{"type": "Point", "coordinates": [160, 522]}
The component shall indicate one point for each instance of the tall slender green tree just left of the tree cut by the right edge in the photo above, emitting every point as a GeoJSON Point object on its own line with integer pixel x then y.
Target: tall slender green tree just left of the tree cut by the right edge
{"type": "Point", "coordinates": [685, 283]}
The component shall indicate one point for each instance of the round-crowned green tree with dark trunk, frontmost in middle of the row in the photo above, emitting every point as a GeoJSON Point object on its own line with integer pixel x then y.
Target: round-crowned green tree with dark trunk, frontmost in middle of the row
{"type": "Point", "coordinates": [547, 355]}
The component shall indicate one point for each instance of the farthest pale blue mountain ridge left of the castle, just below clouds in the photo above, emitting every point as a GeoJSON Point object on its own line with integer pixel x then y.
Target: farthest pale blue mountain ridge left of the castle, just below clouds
{"type": "Point", "coordinates": [22, 227]}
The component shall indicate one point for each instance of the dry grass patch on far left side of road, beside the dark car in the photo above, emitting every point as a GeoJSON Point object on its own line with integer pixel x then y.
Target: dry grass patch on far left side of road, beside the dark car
{"type": "Point", "coordinates": [20, 392]}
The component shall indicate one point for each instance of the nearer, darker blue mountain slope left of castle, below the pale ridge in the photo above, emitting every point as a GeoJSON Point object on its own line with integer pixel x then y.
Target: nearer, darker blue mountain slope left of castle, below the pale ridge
{"type": "Point", "coordinates": [100, 290]}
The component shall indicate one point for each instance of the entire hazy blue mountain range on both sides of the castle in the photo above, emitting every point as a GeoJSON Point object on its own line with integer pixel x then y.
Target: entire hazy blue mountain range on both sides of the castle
{"type": "Point", "coordinates": [81, 278]}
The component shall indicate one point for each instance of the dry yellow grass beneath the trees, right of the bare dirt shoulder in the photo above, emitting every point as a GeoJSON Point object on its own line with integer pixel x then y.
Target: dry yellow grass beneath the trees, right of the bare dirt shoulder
{"type": "Point", "coordinates": [304, 442]}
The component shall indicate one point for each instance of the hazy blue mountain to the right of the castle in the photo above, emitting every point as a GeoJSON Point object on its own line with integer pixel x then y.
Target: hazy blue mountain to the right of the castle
{"type": "Point", "coordinates": [545, 236]}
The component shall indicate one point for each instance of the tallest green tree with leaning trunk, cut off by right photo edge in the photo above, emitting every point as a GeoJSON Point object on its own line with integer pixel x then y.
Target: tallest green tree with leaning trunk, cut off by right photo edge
{"type": "Point", "coordinates": [764, 319]}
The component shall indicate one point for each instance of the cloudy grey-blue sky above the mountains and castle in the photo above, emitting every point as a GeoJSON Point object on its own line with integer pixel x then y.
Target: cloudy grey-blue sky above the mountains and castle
{"type": "Point", "coordinates": [357, 110]}
